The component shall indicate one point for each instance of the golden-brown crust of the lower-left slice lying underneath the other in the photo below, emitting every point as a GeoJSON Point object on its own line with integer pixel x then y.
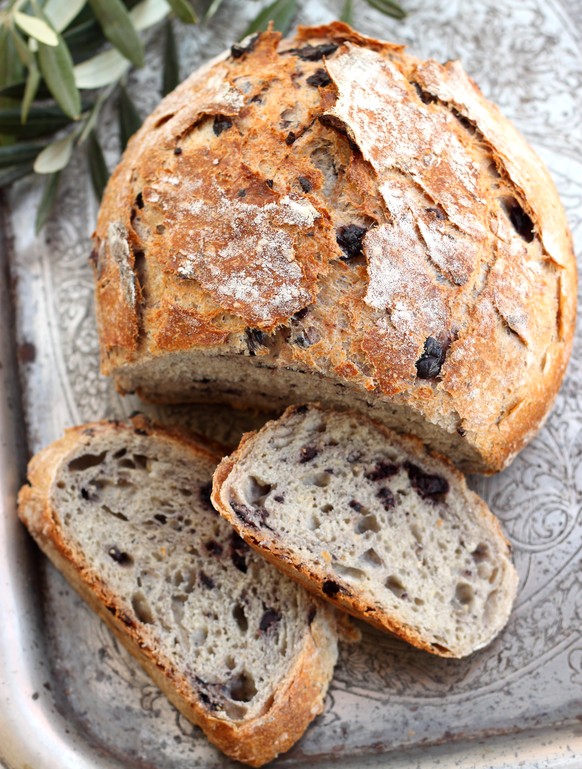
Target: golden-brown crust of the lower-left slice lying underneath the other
{"type": "Point", "coordinates": [298, 699]}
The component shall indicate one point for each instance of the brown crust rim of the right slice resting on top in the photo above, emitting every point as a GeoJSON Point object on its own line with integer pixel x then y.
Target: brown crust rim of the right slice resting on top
{"type": "Point", "coordinates": [313, 577]}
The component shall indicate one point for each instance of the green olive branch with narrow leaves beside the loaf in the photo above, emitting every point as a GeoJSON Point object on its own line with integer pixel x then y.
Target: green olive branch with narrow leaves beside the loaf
{"type": "Point", "coordinates": [62, 60]}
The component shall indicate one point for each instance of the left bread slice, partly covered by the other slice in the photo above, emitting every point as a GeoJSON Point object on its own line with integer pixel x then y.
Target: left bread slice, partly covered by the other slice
{"type": "Point", "coordinates": [123, 510]}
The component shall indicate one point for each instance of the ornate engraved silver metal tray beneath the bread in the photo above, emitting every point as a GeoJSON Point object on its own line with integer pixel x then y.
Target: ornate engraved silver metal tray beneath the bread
{"type": "Point", "coordinates": [70, 698]}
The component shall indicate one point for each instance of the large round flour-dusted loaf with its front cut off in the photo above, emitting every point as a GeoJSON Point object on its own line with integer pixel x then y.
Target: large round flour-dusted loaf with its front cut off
{"type": "Point", "coordinates": [327, 217]}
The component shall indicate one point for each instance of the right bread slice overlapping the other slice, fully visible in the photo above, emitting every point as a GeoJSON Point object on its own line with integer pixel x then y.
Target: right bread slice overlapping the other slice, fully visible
{"type": "Point", "coordinates": [375, 524]}
